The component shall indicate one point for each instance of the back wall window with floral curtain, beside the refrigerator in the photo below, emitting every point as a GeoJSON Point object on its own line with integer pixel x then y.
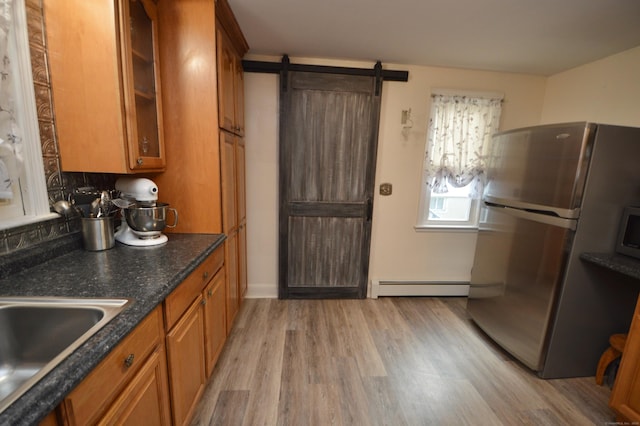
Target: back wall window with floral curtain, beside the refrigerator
{"type": "Point", "coordinates": [460, 129]}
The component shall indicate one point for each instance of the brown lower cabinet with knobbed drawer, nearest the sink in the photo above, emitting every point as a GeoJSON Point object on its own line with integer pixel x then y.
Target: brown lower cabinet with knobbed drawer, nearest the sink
{"type": "Point", "coordinates": [129, 386]}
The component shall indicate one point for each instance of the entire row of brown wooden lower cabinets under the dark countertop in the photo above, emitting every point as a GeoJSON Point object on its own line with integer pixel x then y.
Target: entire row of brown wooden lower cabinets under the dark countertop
{"type": "Point", "coordinates": [157, 374]}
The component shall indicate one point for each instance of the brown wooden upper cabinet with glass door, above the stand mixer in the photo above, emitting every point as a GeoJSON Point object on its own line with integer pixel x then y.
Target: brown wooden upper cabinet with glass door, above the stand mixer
{"type": "Point", "coordinates": [105, 81]}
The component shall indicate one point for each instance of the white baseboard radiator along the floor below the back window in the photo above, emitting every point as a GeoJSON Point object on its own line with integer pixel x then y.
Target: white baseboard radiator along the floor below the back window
{"type": "Point", "coordinates": [380, 288]}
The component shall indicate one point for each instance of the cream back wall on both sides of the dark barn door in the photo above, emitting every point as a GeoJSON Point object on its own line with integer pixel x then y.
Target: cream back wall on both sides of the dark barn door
{"type": "Point", "coordinates": [398, 251]}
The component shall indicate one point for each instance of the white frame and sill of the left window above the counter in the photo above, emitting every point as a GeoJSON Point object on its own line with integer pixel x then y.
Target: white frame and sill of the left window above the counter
{"type": "Point", "coordinates": [33, 188]}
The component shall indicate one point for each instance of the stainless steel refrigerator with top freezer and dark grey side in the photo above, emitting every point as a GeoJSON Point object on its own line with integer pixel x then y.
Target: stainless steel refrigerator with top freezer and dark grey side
{"type": "Point", "coordinates": [554, 192]}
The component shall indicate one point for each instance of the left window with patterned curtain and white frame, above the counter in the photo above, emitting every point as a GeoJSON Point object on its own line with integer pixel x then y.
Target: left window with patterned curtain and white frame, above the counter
{"type": "Point", "coordinates": [23, 193]}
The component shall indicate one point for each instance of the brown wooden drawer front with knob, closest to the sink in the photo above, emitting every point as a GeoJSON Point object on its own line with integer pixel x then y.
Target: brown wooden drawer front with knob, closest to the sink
{"type": "Point", "coordinates": [86, 403]}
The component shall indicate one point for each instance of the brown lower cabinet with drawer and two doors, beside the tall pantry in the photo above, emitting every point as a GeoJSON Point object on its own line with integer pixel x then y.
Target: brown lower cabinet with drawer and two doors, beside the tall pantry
{"type": "Point", "coordinates": [196, 331]}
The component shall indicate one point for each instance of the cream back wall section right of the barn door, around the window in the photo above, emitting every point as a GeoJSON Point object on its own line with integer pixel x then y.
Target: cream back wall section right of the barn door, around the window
{"type": "Point", "coordinates": [398, 251]}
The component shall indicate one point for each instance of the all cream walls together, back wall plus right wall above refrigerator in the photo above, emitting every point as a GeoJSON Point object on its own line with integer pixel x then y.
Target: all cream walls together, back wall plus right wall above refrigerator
{"type": "Point", "coordinates": [604, 91]}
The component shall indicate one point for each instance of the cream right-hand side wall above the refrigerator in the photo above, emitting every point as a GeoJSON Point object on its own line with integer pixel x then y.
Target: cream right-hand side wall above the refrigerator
{"type": "Point", "coordinates": [604, 91]}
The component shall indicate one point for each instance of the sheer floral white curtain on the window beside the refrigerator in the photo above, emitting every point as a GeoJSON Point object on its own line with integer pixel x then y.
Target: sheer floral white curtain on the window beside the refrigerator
{"type": "Point", "coordinates": [460, 129]}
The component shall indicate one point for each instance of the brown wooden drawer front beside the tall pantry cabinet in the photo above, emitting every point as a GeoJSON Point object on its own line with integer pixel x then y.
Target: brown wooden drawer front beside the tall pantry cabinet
{"type": "Point", "coordinates": [191, 288]}
